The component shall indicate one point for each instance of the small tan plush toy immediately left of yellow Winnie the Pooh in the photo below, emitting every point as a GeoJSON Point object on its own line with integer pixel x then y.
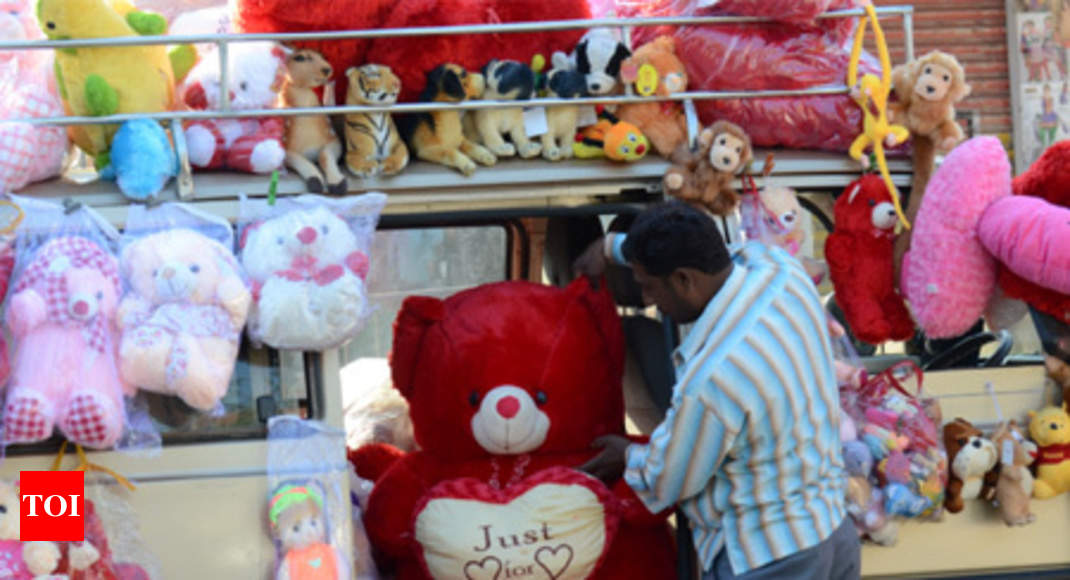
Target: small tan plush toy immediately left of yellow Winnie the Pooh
{"type": "Point", "coordinates": [1015, 486]}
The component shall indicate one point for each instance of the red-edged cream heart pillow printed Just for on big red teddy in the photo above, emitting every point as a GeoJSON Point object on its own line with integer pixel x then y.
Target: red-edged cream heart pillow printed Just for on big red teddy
{"type": "Point", "coordinates": [557, 524]}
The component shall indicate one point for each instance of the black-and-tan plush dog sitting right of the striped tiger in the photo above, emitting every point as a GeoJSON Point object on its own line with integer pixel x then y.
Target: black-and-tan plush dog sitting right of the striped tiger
{"type": "Point", "coordinates": [438, 136]}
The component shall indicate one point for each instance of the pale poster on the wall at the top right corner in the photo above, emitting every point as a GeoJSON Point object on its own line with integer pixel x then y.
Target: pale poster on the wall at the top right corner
{"type": "Point", "coordinates": [1040, 49]}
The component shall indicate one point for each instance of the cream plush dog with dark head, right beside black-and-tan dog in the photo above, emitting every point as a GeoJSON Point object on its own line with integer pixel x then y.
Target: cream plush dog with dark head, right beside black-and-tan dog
{"type": "Point", "coordinates": [506, 81]}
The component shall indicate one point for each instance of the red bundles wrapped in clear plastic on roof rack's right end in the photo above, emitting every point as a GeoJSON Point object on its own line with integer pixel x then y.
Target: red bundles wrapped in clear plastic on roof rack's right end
{"type": "Point", "coordinates": [781, 56]}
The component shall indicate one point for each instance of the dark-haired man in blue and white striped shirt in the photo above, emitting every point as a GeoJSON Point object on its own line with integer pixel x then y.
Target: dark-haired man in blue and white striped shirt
{"type": "Point", "coordinates": [751, 448]}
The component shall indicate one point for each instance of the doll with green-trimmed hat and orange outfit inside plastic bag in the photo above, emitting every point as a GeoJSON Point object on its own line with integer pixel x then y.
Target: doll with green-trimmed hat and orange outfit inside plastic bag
{"type": "Point", "coordinates": [298, 524]}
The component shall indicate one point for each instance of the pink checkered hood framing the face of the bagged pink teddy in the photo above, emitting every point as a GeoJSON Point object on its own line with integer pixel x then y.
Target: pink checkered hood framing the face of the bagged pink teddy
{"type": "Point", "coordinates": [47, 276]}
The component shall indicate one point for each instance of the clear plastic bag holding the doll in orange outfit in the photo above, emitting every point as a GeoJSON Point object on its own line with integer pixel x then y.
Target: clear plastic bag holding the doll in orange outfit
{"type": "Point", "coordinates": [310, 509]}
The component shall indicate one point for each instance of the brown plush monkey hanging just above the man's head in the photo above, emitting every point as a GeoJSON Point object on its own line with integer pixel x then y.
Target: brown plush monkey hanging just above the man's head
{"type": "Point", "coordinates": [705, 177]}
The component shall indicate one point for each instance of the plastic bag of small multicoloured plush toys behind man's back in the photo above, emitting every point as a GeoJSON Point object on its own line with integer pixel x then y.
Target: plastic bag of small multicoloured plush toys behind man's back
{"type": "Point", "coordinates": [897, 440]}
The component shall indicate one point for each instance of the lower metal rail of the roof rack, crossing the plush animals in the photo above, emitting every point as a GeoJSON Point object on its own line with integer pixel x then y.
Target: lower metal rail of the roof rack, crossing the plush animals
{"type": "Point", "coordinates": [426, 108]}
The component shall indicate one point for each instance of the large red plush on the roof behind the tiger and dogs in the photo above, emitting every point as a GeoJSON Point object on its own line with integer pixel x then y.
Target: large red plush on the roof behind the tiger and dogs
{"type": "Point", "coordinates": [412, 58]}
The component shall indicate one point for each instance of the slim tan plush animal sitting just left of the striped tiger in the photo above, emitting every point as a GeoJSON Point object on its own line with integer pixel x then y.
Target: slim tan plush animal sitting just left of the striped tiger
{"type": "Point", "coordinates": [312, 140]}
